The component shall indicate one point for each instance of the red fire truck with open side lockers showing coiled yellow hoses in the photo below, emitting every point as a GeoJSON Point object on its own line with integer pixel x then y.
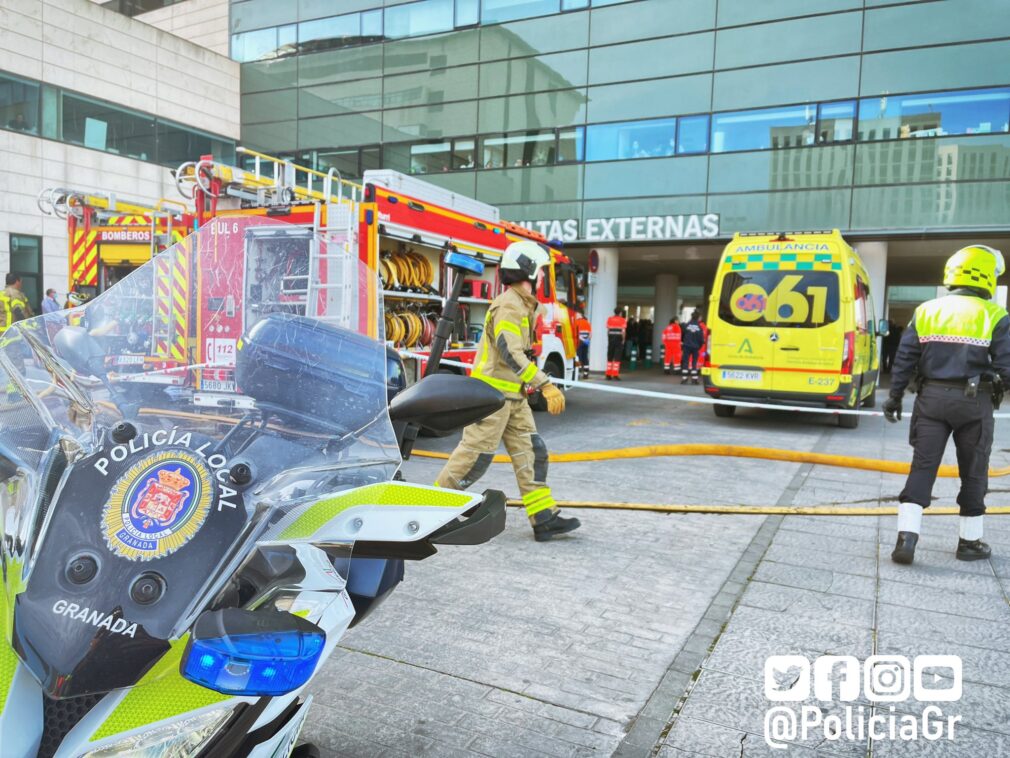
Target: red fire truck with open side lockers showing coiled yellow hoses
{"type": "Point", "coordinates": [399, 226]}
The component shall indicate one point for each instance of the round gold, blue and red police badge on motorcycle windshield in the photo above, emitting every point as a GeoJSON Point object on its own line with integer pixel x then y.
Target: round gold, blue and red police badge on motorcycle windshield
{"type": "Point", "coordinates": [158, 506]}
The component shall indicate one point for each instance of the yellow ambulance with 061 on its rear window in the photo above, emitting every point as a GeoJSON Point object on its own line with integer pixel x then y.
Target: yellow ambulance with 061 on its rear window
{"type": "Point", "coordinates": [791, 322]}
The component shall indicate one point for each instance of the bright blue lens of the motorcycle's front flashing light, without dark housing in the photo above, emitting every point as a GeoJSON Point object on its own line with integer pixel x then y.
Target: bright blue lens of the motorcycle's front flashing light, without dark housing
{"type": "Point", "coordinates": [255, 665]}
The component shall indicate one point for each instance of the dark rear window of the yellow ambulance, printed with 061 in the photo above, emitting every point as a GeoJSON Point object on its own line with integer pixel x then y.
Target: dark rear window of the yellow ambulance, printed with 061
{"type": "Point", "coordinates": [804, 300]}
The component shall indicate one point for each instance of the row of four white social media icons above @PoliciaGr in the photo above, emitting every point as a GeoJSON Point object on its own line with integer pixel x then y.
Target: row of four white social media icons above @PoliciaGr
{"type": "Point", "coordinates": [881, 679]}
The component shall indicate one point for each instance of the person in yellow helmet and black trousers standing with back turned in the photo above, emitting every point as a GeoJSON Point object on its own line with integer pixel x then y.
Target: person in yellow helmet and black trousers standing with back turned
{"type": "Point", "coordinates": [958, 350]}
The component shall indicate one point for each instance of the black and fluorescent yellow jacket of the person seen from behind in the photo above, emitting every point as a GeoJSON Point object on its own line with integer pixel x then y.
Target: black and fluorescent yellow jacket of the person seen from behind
{"type": "Point", "coordinates": [954, 338]}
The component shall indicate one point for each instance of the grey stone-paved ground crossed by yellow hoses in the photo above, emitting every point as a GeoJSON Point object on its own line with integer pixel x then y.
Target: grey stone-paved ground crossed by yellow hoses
{"type": "Point", "coordinates": [617, 641]}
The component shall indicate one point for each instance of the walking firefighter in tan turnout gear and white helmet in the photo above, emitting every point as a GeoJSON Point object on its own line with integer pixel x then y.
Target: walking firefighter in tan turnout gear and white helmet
{"type": "Point", "coordinates": [503, 362]}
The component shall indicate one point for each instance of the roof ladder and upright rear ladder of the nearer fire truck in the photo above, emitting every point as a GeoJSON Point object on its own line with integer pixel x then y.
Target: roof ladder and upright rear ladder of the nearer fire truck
{"type": "Point", "coordinates": [276, 182]}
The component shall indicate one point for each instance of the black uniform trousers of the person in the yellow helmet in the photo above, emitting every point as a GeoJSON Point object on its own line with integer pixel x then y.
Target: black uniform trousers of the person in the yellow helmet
{"type": "Point", "coordinates": [940, 412]}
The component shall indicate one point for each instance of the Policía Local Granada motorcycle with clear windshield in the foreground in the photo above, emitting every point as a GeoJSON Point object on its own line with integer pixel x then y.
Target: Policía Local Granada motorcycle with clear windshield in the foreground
{"type": "Point", "coordinates": [174, 575]}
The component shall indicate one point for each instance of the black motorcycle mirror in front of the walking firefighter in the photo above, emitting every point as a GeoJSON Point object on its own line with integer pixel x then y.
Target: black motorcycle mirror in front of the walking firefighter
{"type": "Point", "coordinates": [446, 403]}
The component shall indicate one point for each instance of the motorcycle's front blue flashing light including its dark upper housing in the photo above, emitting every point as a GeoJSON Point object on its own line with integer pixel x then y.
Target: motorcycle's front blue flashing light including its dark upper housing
{"type": "Point", "coordinates": [253, 652]}
